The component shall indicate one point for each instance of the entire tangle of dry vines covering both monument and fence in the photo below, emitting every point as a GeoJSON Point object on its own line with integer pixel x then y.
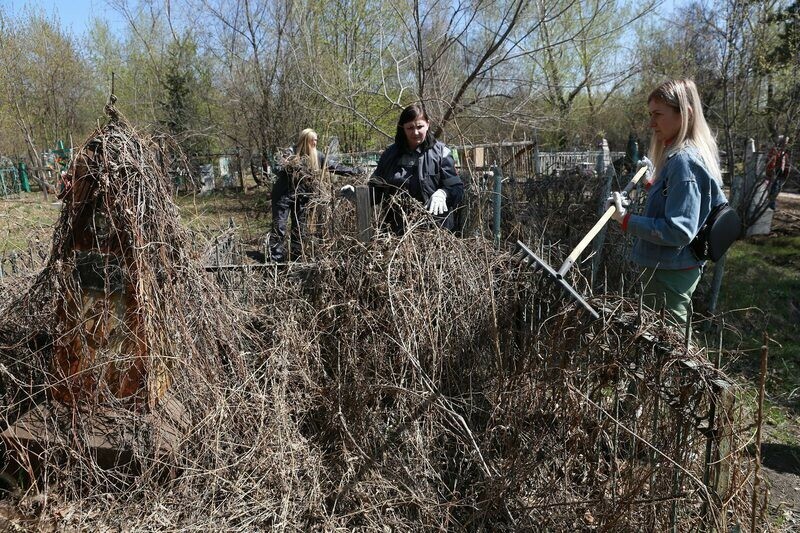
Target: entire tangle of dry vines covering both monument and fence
{"type": "Point", "coordinates": [414, 382]}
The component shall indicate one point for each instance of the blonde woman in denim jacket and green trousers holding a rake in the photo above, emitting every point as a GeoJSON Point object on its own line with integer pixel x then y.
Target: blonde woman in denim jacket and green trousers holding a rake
{"type": "Point", "coordinates": [686, 187]}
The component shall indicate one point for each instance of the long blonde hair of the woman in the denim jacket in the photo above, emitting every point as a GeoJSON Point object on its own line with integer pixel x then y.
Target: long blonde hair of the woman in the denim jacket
{"type": "Point", "coordinates": [682, 96]}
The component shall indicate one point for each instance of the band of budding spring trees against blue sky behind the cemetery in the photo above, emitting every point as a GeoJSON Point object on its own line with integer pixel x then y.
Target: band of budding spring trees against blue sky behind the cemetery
{"type": "Point", "coordinates": [253, 74]}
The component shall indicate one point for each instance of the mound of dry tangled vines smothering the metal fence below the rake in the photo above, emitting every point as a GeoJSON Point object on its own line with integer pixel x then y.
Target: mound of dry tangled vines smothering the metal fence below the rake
{"type": "Point", "coordinates": [442, 398]}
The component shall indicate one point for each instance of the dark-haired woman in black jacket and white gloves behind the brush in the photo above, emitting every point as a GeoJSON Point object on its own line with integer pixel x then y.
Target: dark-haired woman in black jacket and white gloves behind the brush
{"type": "Point", "coordinates": [422, 167]}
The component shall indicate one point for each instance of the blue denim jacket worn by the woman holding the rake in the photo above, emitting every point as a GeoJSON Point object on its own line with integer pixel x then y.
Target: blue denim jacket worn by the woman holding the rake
{"type": "Point", "coordinates": [678, 204]}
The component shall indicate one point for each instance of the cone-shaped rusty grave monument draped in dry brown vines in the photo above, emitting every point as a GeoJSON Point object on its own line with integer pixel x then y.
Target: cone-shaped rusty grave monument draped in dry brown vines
{"type": "Point", "coordinates": [120, 314]}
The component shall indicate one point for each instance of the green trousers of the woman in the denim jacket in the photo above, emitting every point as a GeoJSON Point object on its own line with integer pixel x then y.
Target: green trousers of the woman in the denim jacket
{"type": "Point", "coordinates": [671, 289]}
